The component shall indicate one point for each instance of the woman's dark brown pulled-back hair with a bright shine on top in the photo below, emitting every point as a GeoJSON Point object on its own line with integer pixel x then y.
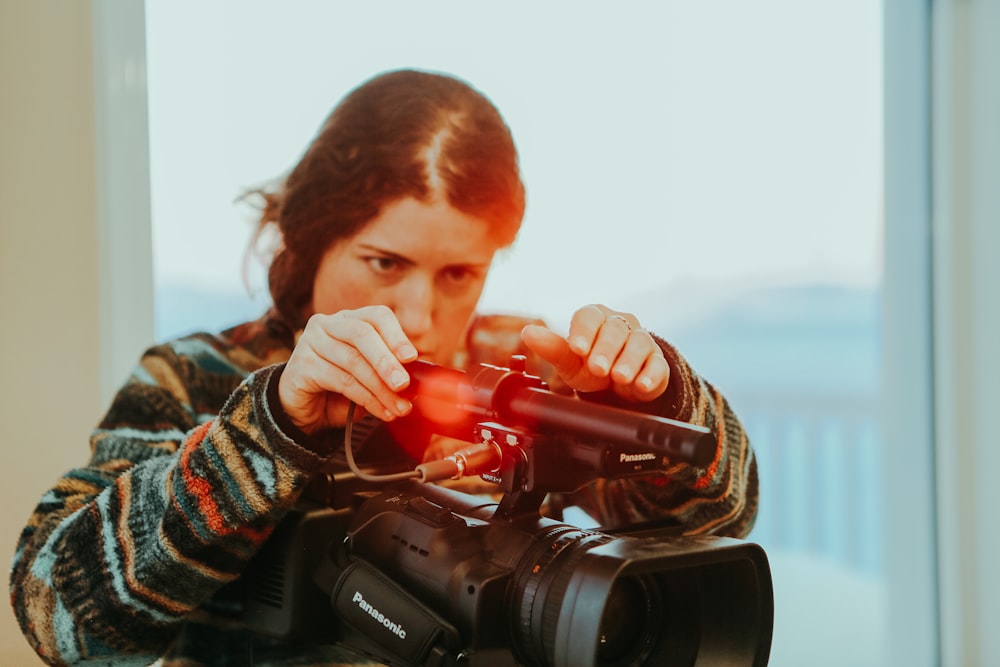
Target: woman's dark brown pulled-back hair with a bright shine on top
{"type": "Point", "coordinates": [401, 134]}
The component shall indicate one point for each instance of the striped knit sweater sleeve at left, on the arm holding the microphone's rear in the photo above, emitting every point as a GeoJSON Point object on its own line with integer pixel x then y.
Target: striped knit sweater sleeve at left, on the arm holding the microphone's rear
{"type": "Point", "coordinates": [174, 501]}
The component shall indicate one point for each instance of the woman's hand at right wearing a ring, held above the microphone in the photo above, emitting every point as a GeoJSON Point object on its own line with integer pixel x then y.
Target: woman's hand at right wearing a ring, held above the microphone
{"type": "Point", "coordinates": [604, 348]}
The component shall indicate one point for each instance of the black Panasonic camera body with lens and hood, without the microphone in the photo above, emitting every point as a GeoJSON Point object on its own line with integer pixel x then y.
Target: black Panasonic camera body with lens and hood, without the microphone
{"type": "Point", "coordinates": [468, 589]}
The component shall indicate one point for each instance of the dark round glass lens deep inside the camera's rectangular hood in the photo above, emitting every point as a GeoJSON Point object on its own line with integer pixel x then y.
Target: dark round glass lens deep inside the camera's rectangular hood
{"type": "Point", "coordinates": [626, 631]}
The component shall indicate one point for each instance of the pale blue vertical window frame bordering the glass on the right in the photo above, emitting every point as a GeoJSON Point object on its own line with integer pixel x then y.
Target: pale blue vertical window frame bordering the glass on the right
{"type": "Point", "coordinates": [908, 380]}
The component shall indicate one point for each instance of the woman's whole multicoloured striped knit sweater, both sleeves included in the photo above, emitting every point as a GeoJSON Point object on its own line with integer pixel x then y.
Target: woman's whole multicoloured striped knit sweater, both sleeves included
{"type": "Point", "coordinates": [190, 471]}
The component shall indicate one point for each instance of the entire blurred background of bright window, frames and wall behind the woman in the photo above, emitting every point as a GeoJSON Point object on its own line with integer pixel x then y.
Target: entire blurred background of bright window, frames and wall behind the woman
{"type": "Point", "coordinates": [795, 193]}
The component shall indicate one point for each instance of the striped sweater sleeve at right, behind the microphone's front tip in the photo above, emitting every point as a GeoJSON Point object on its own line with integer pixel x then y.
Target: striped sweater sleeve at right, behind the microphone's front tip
{"type": "Point", "coordinates": [719, 499]}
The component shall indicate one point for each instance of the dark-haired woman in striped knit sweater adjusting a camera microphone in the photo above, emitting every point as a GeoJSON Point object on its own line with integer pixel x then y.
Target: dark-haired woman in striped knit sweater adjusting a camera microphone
{"type": "Point", "coordinates": [388, 226]}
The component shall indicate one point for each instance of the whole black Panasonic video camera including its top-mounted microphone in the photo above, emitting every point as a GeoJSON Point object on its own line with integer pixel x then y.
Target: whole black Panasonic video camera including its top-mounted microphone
{"type": "Point", "coordinates": [411, 573]}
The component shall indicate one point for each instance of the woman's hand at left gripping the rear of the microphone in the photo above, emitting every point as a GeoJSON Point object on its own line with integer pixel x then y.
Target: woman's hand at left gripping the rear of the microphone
{"type": "Point", "coordinates": [350, 356]}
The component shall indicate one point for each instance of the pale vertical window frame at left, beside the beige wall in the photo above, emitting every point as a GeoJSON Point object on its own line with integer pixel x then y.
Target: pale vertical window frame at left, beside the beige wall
{"type": "Point", "coordinates": [124, 217]}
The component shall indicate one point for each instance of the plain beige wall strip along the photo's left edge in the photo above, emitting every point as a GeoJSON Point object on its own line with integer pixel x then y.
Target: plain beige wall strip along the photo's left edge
{"type": "Point", "coordinates": [48, 260]}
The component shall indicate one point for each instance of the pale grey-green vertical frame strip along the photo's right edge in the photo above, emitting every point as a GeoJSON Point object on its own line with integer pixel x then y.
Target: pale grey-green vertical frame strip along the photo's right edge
{"type": "Point", "coordinates": [965, 145]}
